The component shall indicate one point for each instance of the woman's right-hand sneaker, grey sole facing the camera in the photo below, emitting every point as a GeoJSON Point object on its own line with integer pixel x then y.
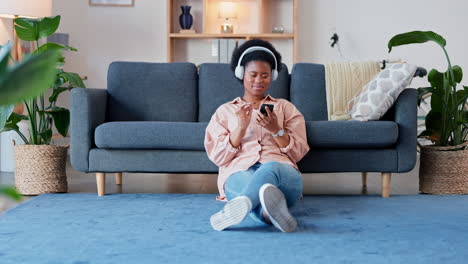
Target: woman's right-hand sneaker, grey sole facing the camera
{"type": "Point", "coordinates": [275, 206]}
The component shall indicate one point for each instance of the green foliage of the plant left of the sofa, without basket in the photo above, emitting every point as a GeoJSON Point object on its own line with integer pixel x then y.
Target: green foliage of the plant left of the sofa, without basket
{"type": "Point", "coordinates": [42, 115]}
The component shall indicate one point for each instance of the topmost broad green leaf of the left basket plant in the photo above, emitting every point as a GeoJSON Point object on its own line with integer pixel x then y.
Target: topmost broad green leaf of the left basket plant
{"type": "Point", "coordinates": [30, 29]}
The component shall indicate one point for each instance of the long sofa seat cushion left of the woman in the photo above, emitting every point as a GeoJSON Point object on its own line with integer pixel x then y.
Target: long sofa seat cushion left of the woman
{"type": "Point", "coordinates": [151, 135]}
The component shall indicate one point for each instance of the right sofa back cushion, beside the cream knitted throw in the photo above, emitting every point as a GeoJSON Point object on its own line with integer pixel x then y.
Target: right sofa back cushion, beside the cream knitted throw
{"type": "Point", "coordinates": [308, 92]}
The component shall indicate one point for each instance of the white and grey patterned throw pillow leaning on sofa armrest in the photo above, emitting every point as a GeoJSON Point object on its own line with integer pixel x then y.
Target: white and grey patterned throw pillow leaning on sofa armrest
{"type": "Point", "coordinates": [380, 93]}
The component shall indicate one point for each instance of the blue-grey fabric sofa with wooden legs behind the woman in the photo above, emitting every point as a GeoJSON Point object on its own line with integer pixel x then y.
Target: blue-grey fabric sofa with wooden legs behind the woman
{"type": "Point", "coordinates": [153, 116]}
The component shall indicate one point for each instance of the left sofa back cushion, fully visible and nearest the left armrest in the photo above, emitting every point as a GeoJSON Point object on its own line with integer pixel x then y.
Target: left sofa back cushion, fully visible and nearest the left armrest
{"type": "Point", "coordinates": [142, 91]}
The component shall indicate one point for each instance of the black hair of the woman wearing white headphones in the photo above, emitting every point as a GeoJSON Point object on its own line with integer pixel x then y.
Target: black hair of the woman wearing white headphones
{"type": "Point", "coordinates": [258, 55]}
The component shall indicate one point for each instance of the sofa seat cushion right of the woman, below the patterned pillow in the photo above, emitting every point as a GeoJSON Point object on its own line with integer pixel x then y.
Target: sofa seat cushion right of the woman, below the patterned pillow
{"type": "Point", "coordinates": [351, 134]}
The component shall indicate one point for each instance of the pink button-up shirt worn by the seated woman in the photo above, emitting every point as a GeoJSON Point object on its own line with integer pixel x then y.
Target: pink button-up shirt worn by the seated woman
{"type": "Point", "coordinates": [257, 144]}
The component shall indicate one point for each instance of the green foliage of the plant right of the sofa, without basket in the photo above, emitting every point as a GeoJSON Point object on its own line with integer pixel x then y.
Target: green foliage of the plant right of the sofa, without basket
{"type": "Point", "coordinates": [447, 121]}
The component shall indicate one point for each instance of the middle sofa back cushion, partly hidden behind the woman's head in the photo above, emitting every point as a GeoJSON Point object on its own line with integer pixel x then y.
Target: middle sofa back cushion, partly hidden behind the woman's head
{"type": "Point", "coordinates": [218, 85]}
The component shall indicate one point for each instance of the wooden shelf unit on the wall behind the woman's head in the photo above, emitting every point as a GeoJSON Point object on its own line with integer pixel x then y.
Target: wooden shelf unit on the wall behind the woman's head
{"type": "Point", "coordinates": [255, 19]}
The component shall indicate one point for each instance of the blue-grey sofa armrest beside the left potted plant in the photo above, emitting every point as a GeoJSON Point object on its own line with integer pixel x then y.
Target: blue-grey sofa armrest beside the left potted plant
{"type": "Point", "coordinates": [88, 110]}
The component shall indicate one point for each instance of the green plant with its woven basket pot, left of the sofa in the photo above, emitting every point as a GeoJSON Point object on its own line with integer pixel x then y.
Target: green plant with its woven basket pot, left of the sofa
{"type": "Point", "coordinates": [40, 166]}
